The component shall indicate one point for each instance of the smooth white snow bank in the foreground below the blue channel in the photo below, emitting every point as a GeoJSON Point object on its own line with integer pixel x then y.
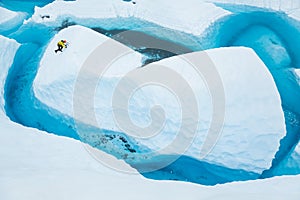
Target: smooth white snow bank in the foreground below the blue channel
{"type": "Point", "coordinates": [37, 165]}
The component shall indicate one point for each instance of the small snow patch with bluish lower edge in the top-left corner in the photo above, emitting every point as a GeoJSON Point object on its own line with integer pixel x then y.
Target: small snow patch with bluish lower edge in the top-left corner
{"type": "Point", "coordinates": [10, 19]}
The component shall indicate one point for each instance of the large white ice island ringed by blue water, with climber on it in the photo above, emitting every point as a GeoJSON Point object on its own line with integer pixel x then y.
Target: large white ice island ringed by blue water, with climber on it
{"type": "Point", "coordinates": [254, 121]}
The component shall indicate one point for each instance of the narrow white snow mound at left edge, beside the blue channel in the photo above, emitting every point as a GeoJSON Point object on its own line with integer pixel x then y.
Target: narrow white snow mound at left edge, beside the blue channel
{"type": "Point", "coordinates": [8, 48]}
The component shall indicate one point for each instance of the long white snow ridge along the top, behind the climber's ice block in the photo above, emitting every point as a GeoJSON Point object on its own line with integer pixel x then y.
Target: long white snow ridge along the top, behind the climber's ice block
{"type": "Point", "coordinates": [181, 16]}
